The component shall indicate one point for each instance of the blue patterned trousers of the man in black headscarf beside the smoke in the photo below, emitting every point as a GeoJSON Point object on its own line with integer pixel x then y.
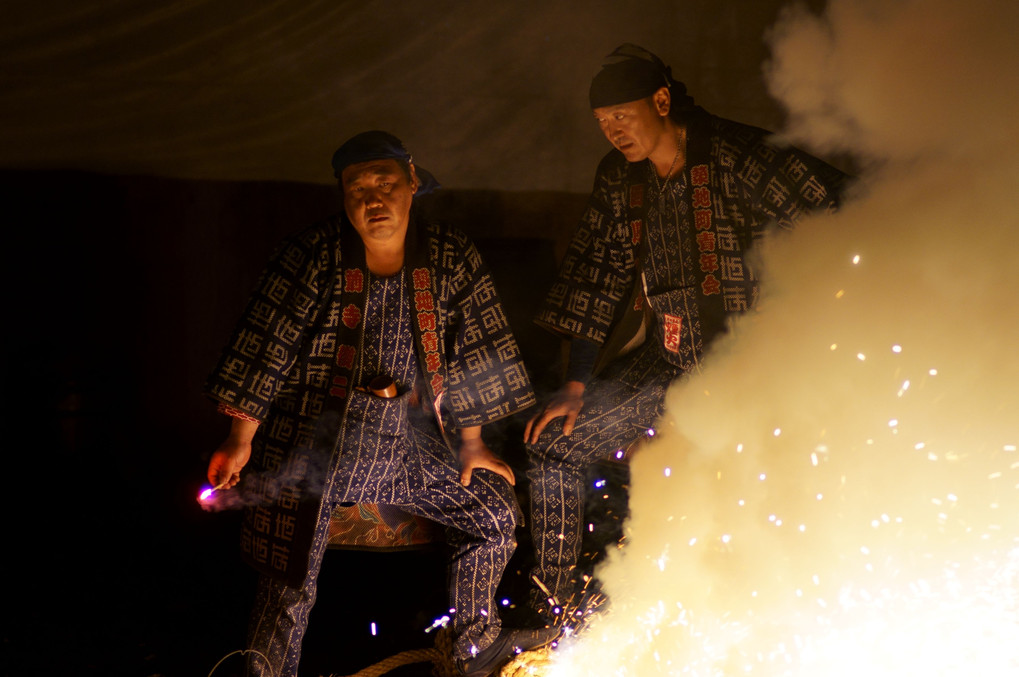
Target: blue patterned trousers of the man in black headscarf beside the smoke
{"type": "Point", "coordinates": [621, 405]}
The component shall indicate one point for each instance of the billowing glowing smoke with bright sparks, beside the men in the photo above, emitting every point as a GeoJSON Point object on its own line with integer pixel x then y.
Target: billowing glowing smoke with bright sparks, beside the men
{"type": "Point", "coordinates": [838, 493]}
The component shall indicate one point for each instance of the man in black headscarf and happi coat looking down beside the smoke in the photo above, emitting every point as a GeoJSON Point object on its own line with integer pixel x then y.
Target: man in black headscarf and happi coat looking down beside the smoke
{"type": "Point", "coordinates": [657, 266]}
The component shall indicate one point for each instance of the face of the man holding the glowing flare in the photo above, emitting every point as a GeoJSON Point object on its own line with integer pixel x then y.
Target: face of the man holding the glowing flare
{"type": "Point", "coordinates": [378, 198]}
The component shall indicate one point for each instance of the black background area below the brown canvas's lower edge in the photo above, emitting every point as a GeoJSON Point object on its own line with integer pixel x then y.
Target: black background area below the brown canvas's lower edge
{"type": "Point", "coordinates": [122, 292]}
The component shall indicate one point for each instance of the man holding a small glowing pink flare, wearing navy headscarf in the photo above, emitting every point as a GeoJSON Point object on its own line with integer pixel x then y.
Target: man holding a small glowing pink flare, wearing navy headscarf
{"type": "Point", "coordinates": [369, 357]}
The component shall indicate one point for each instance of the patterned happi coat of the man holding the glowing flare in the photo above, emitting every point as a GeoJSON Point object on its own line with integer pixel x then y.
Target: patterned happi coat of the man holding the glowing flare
{"type": "Point", "coordinates": [291, 366]}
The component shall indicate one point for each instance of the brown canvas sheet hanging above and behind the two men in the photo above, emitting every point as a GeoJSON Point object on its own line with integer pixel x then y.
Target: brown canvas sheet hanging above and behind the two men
{"type": "Point", "coordinates": [486, 95]}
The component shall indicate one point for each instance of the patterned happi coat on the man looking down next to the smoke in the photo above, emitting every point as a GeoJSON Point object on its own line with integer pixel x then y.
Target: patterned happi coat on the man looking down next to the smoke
{"type": "Point", "coordinates": [682, 247]}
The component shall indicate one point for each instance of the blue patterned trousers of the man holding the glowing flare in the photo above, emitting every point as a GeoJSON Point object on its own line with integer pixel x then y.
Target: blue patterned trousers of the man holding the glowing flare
{"type": "Point", "coordinates": [406, 464]}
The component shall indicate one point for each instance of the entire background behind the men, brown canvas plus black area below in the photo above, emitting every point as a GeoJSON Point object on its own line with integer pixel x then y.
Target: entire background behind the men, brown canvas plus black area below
{"type": "Point", "coordinates": [152, 154]}
